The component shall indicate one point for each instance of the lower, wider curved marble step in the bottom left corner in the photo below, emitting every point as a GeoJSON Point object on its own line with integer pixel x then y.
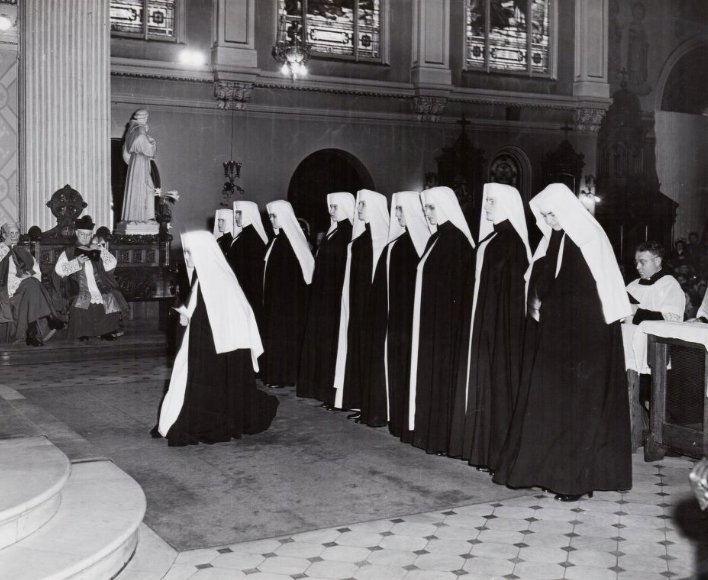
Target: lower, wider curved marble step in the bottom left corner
{"type": "Point", "coordinates": [92, 536]}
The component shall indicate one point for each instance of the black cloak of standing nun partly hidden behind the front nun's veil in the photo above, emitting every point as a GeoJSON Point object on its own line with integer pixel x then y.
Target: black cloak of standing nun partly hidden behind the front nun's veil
{"type": "Point", "coordinates": [245, 256]}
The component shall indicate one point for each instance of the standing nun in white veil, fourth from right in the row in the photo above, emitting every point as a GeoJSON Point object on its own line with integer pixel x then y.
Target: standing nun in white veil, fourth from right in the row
{"type": "Point", "coordinates": [392, 310]}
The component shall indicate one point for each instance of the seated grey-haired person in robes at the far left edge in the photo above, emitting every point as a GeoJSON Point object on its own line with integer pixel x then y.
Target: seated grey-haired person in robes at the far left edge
{"type": "Point", "coordinates": [24, 303]}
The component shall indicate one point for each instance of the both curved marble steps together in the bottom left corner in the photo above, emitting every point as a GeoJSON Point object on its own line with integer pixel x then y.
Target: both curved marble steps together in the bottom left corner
{"type": "Point", "coordinates": [92, 535]}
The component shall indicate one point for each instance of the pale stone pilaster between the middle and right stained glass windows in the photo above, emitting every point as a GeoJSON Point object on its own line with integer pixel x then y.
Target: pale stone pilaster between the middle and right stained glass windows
{"type": "Point", "coordinates": [431, 43]}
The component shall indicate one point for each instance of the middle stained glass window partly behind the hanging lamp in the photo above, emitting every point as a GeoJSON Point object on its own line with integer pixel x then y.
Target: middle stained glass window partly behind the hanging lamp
{"type": "Point", "coordinates": [342, 28]}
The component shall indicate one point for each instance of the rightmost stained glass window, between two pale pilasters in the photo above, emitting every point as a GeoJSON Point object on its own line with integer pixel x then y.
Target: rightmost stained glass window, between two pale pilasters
{"type": "Point", "coordinates": [501, 34]}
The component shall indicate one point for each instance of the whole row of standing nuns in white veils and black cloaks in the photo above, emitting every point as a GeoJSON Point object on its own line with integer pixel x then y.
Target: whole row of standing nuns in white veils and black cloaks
{"type": "Point", "coordinates": [507, 359]}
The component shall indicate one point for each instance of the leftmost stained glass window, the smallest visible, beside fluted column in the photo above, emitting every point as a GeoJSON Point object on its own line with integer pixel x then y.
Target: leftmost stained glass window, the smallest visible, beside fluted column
{"type": "Point", "coordinates": [143, 18]}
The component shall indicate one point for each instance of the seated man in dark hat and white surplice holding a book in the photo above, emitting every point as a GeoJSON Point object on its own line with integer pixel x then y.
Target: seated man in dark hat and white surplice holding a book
{"type": "Point", "coordinates": [83, 278]}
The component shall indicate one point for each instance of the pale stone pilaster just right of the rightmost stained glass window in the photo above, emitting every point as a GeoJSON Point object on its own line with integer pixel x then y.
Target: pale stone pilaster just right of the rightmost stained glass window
{"type": "Point", "coordinates": [591, 42]}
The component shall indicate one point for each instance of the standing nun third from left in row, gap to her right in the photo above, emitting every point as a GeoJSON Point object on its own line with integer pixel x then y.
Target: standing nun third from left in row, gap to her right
{"type": "Point", "coordinates": [288, 272]}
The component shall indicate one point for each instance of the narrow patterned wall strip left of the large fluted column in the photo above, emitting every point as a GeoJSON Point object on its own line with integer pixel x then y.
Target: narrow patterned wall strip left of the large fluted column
{"type": "Point", "coordinates": [9, 136]}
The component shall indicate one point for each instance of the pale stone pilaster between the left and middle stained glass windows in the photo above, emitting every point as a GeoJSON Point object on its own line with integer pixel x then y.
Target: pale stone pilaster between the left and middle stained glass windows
{"type": "Point", "coordinates": [234, 37]}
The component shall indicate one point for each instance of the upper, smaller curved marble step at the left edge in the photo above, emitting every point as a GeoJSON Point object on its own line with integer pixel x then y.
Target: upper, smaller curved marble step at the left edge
{"type": "Point", "coordinates": [33, 472]}
